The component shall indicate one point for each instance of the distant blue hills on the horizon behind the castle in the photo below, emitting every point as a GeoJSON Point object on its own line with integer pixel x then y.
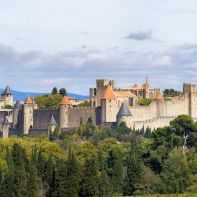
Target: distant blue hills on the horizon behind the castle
{"type": "Point", "coordinates": [22, 95]}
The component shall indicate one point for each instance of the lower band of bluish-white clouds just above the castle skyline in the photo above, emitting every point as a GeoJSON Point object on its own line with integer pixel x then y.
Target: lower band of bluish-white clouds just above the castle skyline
{"type": "Point", "coordinates": [78, 70]}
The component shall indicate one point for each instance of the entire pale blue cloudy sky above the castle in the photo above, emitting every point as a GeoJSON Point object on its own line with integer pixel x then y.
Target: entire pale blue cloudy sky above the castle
{"type": "Point", "coordinates": [70, 43]}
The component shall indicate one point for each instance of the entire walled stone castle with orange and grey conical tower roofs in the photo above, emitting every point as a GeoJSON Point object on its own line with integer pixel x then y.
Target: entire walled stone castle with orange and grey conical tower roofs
{"type": "Point", "coordinates": [109, 107]}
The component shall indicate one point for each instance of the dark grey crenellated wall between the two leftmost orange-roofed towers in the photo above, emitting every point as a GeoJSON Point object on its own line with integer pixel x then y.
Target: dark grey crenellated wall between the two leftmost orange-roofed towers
{"type": "Point", "coordinates": [41, 118]}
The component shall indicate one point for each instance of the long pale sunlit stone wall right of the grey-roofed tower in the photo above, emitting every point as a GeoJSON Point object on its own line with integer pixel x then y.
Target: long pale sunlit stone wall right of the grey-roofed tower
{"type": "Point", "coordinates": [160, 113]}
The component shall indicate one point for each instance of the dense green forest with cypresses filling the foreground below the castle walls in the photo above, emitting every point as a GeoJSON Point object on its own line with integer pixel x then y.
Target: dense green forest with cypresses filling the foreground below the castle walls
{"type": "Point", "coordinates": [101, 161]}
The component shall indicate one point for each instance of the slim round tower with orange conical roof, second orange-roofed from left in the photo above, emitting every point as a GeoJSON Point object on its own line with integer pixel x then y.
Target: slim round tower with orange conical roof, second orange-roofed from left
{"type": "Point", "coordinates": [64, 105]}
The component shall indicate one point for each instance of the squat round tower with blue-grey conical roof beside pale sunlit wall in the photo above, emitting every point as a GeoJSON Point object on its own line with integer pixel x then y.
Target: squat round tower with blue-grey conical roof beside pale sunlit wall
{"type": "Point", "coordinates": [124, 115]}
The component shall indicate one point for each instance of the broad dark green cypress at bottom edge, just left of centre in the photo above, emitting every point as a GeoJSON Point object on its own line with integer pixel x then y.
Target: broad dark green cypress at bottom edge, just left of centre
{"type": "Point", "coordinates": [89, 179]}
